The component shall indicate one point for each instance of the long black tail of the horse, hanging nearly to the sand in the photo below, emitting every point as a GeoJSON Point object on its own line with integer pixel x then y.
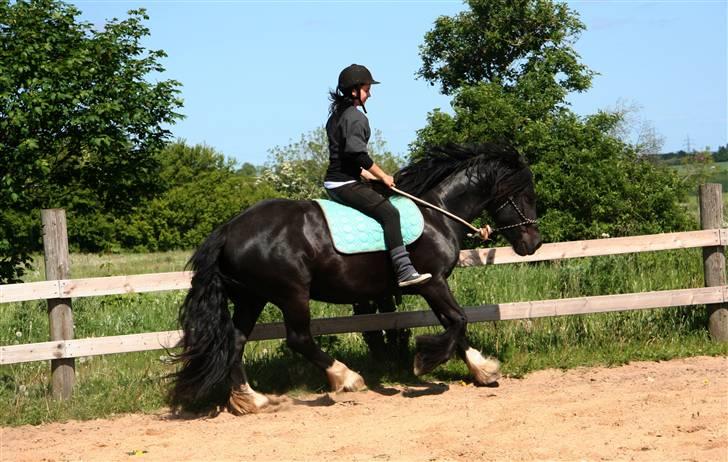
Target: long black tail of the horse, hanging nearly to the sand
{"type": "Point", "coordinates": [208, 344]}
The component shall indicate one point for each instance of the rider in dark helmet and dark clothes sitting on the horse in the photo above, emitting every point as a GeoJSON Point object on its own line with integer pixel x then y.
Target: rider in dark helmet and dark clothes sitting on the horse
{"type": "Point", "coordinates": [348, 132]}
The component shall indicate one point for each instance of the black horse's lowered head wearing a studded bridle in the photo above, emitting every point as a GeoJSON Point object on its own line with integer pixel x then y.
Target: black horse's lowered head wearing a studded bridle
{"type": "Point", "coordinates": [513, 207]}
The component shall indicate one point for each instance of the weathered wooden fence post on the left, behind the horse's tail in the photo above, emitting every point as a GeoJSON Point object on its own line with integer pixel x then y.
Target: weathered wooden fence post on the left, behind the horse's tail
{"type": "Point", "coordinates": [55, 246]}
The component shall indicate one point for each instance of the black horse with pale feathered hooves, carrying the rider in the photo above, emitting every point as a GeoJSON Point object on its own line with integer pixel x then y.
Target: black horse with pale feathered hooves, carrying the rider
{"type": "Point", "coordinates": [280, 251]}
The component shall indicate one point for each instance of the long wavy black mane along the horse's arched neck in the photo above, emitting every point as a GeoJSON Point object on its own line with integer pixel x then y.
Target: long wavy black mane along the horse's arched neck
{"type": "Point", "coordinates": [441, 161]}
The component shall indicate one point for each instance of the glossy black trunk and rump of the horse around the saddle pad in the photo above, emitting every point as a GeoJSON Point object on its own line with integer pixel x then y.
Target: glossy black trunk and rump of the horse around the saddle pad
{"type": "Point", "coordinates": [281, 246]}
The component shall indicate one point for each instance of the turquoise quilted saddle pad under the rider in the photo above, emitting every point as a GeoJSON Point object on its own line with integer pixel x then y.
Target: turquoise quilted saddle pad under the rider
{"type": "Point", "coordinates": [354, 232]}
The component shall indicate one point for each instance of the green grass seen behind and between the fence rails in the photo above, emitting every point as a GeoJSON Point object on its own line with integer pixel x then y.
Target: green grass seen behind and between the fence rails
{"type": "Point", "coordinates": [134, 382]}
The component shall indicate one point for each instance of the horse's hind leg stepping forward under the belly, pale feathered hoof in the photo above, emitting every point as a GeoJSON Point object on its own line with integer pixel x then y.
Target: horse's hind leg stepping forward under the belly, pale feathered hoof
{"type": "Point", "coordinates": [297, 316]}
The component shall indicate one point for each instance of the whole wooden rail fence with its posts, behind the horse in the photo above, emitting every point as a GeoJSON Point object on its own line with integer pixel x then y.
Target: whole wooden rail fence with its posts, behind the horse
{"type": "Point", "coordinates": [59, 291]}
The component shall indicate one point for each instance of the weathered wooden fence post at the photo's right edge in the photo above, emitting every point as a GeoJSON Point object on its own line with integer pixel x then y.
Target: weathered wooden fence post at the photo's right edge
{"type": "Point", "coordinates": [711, 217]}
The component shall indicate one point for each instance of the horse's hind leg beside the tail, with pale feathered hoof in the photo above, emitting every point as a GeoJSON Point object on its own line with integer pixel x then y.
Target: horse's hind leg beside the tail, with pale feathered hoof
{"type": "Point", "coordinates": [243, 399]}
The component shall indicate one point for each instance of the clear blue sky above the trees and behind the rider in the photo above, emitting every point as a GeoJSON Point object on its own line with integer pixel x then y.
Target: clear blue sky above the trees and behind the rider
{"type": "Point", "coordinates": [256, 74]}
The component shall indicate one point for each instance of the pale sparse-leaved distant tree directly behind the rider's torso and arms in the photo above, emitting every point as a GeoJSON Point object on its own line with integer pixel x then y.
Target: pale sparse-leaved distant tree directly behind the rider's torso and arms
{"type": "Point", "coordinates": [297, 170]}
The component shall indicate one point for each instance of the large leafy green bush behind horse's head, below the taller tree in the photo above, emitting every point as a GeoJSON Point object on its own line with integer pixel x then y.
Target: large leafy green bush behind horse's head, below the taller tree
{"type": "Point", "coordinates": [588, 182]}
